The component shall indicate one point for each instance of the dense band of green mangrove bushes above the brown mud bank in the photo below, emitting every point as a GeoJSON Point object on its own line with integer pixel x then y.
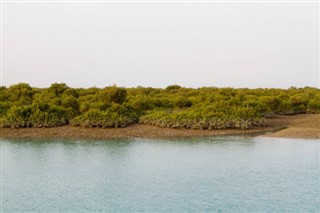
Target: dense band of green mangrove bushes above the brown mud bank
{"type": "Point", "coordinates": [175, 107]}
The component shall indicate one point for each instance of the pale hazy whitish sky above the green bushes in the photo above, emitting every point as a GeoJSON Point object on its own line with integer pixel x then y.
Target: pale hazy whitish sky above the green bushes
{"type": "Point", "coordinates": [158, 44]}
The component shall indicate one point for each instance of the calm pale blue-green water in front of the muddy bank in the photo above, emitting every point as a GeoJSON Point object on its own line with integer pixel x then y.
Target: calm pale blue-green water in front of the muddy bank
{"type": "Point", "coordinates": [217, 174]}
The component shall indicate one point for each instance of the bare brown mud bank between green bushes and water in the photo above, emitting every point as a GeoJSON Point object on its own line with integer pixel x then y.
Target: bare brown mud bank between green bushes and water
{"type": "Point", "coordinates": [296, 126]}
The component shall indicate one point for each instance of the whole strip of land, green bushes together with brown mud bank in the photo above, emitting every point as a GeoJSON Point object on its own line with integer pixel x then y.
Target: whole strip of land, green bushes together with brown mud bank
{"type": "Point", "coordinates": [116, 112]}
